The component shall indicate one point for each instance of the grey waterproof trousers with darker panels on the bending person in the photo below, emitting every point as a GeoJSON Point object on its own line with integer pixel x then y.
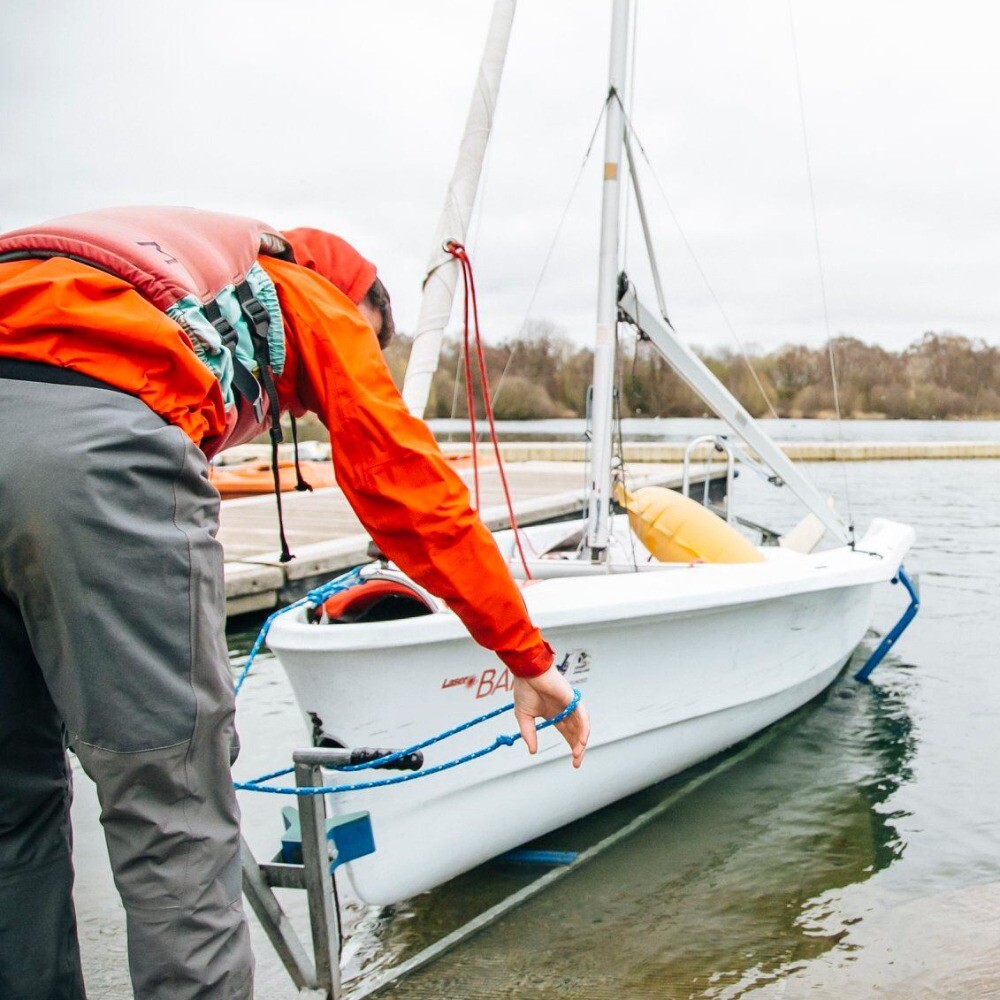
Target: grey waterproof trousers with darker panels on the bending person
{"type": "Point", "coordinates": [112, 640]}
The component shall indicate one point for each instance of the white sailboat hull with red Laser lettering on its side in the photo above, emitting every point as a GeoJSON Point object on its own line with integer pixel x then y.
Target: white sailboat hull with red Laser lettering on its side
{"type": "Point", "coordinates": [675, 663]}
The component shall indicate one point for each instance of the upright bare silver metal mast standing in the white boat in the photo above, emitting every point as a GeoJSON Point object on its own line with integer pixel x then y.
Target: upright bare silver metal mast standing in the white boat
{"type": "Point", "coordinates": [607, 290]}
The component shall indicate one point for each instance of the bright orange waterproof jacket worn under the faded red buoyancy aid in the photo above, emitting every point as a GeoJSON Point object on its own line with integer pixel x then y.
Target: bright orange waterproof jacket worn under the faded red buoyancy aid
{"type": "Point", "coordinates": [417, 510]}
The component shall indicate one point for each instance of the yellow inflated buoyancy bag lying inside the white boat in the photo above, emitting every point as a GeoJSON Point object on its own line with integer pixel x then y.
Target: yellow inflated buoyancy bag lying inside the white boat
{"type": "Point", "coordinates": [675, 528]}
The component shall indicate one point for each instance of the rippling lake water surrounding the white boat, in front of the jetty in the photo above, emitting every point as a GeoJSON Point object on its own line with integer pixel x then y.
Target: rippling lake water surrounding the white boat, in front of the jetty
{"type": "Point", "coordinates": [856, 853]}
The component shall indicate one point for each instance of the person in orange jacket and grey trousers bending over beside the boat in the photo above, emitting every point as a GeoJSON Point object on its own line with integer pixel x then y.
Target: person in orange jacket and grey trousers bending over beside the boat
{"type": "Point", "coordinates": [135, 344]}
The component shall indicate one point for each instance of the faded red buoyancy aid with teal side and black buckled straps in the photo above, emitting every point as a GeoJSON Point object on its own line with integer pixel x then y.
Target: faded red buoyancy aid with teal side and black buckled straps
{"type": "Point", "coordinates": [201, 270]}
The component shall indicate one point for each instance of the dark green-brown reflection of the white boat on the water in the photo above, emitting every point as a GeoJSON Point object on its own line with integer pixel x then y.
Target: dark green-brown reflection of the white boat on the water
{"type": "Point", "coordinates": [730, 889]}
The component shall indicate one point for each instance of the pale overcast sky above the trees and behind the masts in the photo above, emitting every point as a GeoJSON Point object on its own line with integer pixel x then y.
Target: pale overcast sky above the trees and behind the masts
{"type": "Point", "coordinates": [347, 115]}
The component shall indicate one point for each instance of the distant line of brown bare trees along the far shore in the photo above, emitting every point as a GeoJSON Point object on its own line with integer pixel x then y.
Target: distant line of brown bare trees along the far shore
{"type": "Point", "coordinates": [939, 376]}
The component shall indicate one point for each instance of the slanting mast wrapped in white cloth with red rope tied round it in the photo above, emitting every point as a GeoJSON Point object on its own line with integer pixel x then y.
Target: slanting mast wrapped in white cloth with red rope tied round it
{"type": "Point", "coordinates": [441, 276]}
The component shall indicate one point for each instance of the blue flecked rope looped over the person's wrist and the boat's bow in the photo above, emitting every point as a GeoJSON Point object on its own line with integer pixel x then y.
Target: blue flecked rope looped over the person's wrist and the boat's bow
{"type": "Point", "coordinates": [315, 598]}
